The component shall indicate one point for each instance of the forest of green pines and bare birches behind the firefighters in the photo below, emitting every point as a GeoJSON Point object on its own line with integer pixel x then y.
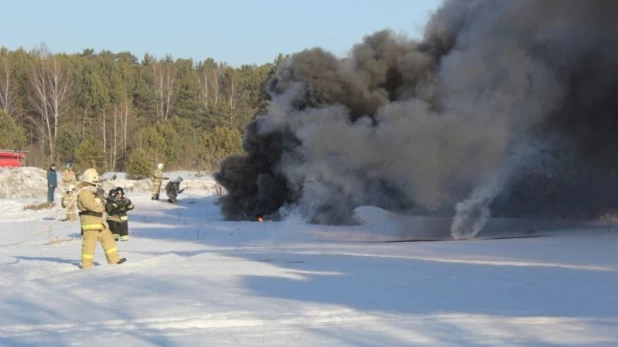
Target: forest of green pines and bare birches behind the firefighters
{"type": "Point", "coordinates": [116, 112]}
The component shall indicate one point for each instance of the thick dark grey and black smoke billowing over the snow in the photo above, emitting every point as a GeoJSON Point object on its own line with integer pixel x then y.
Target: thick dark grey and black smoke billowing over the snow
{"type": "Point", "coordinates": [504, 106]}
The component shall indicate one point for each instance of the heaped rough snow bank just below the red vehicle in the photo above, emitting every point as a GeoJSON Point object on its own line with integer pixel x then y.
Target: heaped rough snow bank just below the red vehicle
{"type": "Point", "coordinates": [24, 182]}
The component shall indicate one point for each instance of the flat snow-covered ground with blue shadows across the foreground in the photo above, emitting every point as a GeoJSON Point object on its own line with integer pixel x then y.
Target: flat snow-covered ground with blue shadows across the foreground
{"type": "Point", "coordinates": [193, 279]}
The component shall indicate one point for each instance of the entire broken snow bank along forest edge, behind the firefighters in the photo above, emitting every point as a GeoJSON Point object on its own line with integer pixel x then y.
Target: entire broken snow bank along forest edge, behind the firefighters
{"type": "Point", "coordinates": [31, 182]}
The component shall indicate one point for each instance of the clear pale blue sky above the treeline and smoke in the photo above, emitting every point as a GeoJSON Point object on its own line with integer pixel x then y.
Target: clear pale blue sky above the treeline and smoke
{"type": "Point", "coordinates": [235, 31]}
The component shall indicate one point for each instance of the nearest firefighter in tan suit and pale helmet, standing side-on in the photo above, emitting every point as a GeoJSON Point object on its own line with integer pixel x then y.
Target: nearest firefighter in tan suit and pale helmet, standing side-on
{"type": "Point", "coordinates": [92, 206]}
